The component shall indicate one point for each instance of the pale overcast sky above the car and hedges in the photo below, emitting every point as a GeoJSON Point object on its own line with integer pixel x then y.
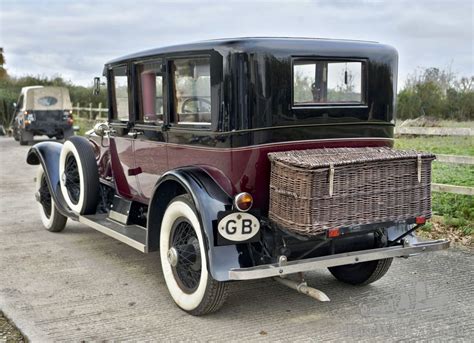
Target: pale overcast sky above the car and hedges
{"type": "Point", "coordinates": [75, 38]}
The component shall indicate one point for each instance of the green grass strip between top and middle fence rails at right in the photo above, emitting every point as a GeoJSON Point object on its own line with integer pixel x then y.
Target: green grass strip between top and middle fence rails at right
{"type": "Point", "coordinates": [449, 145]}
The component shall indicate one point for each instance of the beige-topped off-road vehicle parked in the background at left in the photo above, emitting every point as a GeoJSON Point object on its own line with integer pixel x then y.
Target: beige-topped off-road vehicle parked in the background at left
{"type": "Point", "coordinates": [42, 111]}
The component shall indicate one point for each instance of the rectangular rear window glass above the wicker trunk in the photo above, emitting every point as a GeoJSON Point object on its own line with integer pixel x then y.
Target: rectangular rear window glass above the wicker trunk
{"type": "Point", "coordinates": [318, 82]}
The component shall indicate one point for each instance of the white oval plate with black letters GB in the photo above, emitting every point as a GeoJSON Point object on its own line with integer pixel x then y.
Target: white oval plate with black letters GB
{"type": "Point", "coordinates": [238, 226]}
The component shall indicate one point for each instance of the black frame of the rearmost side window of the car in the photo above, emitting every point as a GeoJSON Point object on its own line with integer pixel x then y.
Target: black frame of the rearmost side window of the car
{"type": "Point", "coordinates": [174, 124]}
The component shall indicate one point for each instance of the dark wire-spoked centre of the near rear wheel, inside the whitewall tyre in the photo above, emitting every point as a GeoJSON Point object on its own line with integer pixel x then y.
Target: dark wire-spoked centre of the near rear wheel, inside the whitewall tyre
{"type": "Point", "coordinates": [187, 265]}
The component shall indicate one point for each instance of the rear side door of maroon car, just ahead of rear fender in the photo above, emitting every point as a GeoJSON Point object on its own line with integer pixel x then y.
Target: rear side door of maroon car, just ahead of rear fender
{"type": "Point", "coordinates": [149, 129]}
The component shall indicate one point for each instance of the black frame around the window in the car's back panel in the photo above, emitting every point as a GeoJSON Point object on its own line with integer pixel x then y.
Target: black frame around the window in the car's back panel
{"type": "Point", "coordinates": [364, 83]}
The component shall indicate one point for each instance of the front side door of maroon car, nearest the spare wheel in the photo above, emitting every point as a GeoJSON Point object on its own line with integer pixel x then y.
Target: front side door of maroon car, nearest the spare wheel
{"type": "Point", "coordinates": [121, 139]}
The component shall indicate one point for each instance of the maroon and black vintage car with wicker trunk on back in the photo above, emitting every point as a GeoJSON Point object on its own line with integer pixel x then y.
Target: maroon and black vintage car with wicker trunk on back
{"type": "Point", "coordinates": [246, 158]}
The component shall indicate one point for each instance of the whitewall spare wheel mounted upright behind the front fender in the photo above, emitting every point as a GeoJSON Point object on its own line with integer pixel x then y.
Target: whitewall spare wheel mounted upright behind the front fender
{"type": "Point", "coordinates": [79, 176]}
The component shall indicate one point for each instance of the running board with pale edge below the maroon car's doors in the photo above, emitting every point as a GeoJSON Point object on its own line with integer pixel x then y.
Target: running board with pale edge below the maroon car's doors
{"type": "Point", "coordinates": [132, 235]}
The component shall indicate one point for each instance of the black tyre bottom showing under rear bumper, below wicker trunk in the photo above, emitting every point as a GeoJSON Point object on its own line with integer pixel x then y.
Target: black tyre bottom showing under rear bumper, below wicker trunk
{"type": "Point", "coordinates": [361, 273]}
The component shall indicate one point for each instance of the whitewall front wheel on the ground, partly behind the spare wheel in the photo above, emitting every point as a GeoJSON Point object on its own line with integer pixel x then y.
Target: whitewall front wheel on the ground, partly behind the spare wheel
{"type": "Point", "coordinates": [50, 217]}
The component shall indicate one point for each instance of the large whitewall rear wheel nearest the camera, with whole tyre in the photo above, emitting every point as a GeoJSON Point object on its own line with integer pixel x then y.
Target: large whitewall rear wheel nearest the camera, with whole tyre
{"type": "Point", "coordinates": [184, 263]}
